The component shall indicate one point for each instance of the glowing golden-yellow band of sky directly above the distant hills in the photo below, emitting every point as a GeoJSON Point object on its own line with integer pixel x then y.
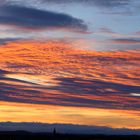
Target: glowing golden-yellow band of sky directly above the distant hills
{"type": "Point", "coordinates": [20, 112]}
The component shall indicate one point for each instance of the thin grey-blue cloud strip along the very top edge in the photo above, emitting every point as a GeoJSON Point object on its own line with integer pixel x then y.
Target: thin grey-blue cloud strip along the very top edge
{"type": "Point", "coordinates": [99, 3]}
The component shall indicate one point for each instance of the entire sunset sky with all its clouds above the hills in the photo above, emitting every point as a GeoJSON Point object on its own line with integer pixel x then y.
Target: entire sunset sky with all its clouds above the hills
{"type": "Point", "coordinates": [71, 62]}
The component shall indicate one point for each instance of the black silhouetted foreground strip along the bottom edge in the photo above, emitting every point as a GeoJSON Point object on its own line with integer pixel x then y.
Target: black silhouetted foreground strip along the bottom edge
{"type": "Point", "coordinates": [21, 135]}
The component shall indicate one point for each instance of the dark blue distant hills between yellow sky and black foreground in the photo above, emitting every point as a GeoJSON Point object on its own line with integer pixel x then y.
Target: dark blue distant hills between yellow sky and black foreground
{"type": "Point", "coordinates": [65, 128]}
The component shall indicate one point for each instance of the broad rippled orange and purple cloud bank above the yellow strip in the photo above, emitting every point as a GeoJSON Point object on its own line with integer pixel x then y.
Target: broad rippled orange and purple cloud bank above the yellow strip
{"type": "Point", "coordinates": [54, 73]}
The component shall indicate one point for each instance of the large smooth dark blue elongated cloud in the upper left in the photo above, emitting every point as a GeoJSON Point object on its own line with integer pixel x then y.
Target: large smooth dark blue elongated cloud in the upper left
{"type": "Point", "coordinates": [30, 18]}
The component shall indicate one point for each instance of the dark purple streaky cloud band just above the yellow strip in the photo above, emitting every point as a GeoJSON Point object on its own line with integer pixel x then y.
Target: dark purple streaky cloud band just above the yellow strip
{"type": "Point", "coordinates": [72, 92]}
